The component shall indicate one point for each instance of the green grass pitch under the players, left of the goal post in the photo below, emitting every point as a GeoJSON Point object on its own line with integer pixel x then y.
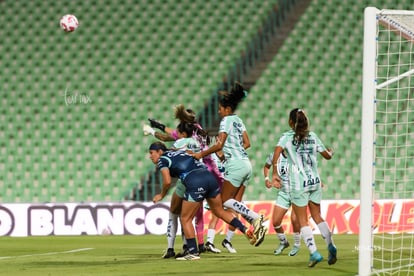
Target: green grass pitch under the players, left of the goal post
{"type": "Point", "coordinates": [141, 255]}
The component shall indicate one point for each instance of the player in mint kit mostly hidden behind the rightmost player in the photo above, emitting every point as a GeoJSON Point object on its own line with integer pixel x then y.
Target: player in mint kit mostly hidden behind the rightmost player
{"type": "Point", "coordinates": [282, 205]}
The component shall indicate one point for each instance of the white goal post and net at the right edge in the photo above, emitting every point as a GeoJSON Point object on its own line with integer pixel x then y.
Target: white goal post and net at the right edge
{"type": "Point", "coordinates": [386, 241]}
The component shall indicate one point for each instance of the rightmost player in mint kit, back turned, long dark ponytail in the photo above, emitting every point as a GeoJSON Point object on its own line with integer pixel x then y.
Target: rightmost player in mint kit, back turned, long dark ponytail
{"type": "Point", "coordinates": [302, 147]}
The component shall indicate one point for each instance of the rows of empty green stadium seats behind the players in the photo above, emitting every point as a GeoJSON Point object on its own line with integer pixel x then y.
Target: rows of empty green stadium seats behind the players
{"type": "Point", "coordinates": [73, 104]}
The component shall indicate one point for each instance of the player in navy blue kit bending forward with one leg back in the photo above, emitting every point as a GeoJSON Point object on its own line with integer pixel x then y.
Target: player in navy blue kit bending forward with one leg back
{"type": "Point", "coordinates": [199, 184]}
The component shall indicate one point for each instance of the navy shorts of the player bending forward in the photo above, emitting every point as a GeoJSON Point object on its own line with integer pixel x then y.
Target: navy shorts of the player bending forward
{"type": "Point", "coordinates": [200, 184]}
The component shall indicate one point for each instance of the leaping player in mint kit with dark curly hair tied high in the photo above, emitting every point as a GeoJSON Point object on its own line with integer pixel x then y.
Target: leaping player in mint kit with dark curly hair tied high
{"type": "Point", "coordinates": [233, 141]}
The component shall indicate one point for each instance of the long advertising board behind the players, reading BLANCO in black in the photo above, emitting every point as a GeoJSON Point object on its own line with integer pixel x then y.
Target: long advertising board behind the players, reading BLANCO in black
{"type": "Point", "coordinates": [135, 218]}
